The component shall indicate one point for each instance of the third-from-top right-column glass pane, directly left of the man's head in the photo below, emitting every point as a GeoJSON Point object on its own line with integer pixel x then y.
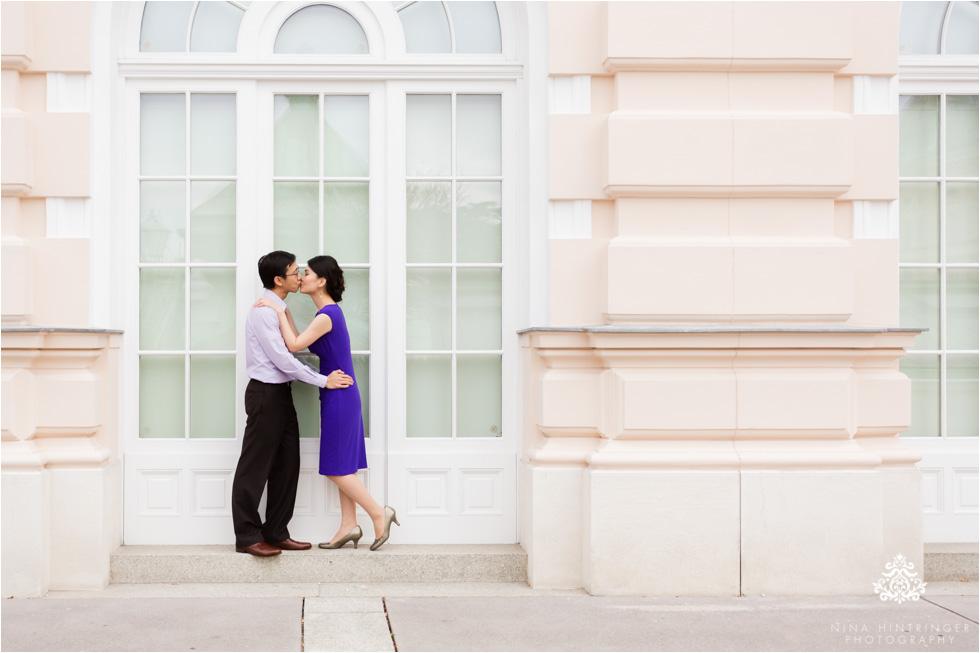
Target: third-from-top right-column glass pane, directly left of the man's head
{"type": "Point", "coordinates": [213, 309]}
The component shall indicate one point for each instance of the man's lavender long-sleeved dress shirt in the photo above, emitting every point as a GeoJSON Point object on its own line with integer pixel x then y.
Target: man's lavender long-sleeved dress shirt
{"type": "Point", "coordinates": [266, 357]}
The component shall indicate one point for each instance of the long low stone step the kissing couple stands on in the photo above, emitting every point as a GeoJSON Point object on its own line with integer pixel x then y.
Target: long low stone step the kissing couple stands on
{"type": "Point", "coordinates": [394, 563]}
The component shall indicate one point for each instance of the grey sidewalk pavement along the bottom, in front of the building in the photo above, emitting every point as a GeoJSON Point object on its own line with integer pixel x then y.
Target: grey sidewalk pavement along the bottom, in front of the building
{"type": "Point", "coordinates": [477, 617]}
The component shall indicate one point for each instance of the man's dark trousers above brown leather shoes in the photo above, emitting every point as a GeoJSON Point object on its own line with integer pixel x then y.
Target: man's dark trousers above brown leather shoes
{"type": "Point", "coordinates": [270, 452]}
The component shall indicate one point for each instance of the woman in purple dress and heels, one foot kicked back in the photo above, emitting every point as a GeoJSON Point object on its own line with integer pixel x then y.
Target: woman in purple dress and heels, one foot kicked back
{"type": "Point", "coordinates": [341, 426]}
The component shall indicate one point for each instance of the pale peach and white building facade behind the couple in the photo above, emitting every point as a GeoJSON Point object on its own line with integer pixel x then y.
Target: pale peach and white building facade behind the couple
{"type": "Point", "coordinates": [631, 284]}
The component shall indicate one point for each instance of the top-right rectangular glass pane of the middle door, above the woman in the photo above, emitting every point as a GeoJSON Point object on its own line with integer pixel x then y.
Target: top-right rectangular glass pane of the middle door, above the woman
{"type": "Point", "coordinates": [345, 136]}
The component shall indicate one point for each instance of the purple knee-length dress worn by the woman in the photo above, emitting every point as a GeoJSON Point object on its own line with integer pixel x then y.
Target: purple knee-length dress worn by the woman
{"type": "Point", "coordinates": [341, 424]}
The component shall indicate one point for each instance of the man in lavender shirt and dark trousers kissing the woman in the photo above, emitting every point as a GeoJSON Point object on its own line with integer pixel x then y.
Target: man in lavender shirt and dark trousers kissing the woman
{"type": "Point", "coordinates": [270, 447]}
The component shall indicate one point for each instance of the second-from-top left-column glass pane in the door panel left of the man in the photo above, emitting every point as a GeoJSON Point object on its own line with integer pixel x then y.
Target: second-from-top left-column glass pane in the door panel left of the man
{"type": "Point", "coordinates": [162, 221]}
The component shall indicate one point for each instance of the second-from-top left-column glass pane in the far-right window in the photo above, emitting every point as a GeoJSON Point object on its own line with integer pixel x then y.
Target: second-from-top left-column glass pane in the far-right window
{"type": "Point", "coordinates": [918, 229]}
